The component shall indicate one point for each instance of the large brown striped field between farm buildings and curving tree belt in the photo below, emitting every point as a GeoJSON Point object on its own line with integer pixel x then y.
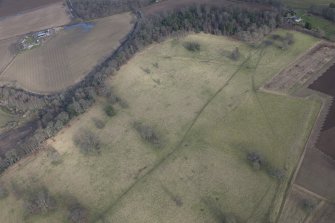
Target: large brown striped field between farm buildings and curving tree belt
{"type": "Point", "coordinates": [68, 56]}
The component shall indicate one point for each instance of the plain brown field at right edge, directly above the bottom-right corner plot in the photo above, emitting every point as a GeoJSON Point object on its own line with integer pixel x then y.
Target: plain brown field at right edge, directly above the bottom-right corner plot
{"type": "Point", "coordinates": [317, 174]}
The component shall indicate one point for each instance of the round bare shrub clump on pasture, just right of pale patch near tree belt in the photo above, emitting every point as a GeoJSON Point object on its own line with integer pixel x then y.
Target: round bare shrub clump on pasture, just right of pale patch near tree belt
{"type": "Point", "coordinates": [87, 141]}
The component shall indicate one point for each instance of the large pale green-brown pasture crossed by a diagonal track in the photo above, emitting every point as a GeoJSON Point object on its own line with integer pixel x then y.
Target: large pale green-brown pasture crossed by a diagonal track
{"type": "Point", "coordinates": [208, 114]}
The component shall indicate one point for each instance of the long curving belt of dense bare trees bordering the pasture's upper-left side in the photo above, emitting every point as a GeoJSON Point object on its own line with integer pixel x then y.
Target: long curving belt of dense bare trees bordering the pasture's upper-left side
{"type": "Point", "coordinates": [59, 109]}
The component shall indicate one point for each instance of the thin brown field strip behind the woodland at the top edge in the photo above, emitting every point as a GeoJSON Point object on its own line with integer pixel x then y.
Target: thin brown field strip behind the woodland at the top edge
{"type": "Point", "coordinates": [169, 5]}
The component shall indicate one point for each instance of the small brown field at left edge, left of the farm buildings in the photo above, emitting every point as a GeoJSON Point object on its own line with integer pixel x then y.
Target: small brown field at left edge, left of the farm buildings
{"type": "Point", "coordinates": [6, 52]}
